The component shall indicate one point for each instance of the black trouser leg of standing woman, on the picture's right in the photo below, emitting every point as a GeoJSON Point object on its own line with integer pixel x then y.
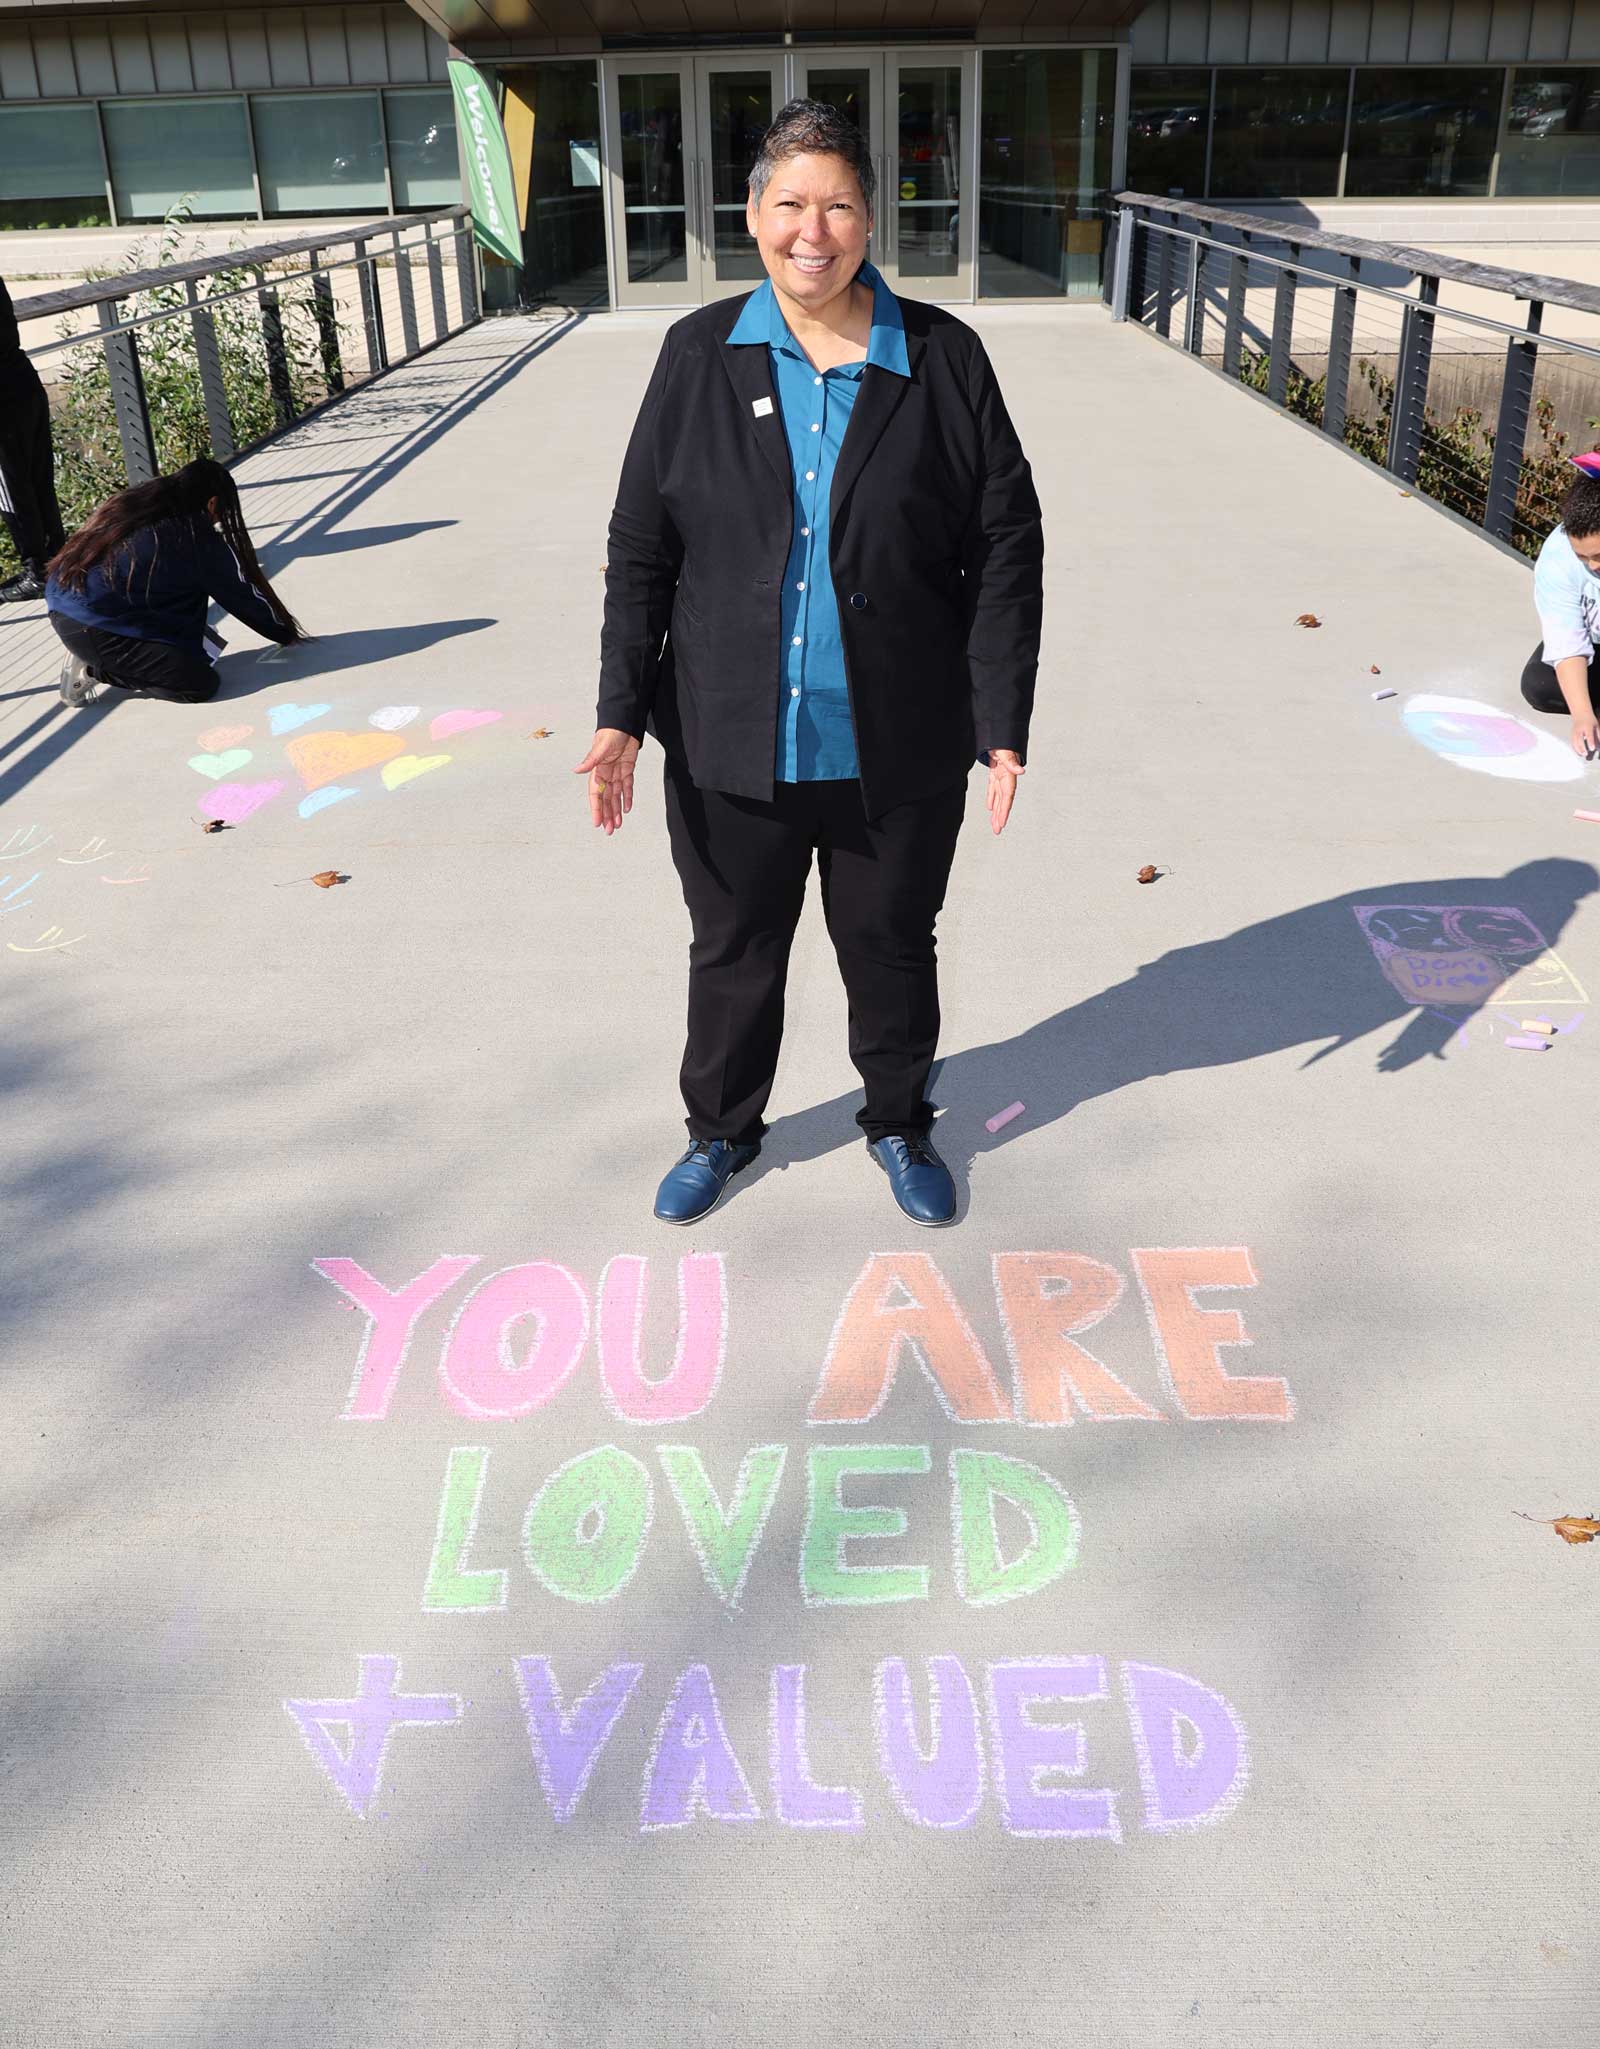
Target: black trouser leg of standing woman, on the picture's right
{"type": "Point", "coordinates": [882, 888]}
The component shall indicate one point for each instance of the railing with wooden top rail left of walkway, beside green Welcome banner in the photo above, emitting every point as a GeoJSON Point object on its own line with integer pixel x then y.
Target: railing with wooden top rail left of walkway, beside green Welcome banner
{"type": "Point", "coordinates": [259, 337]}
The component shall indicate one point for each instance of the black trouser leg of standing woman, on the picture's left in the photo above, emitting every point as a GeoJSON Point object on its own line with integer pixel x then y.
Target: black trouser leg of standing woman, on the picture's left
{"type": "Point", "coordinates": [743, 866]}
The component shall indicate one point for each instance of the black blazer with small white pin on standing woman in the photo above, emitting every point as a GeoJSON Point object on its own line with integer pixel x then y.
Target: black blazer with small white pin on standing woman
{"type": "Point", "coordinates": [935, 550]}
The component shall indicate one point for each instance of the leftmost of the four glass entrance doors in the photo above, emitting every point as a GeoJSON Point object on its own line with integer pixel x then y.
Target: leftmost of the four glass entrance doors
{"type": "Point", "coordinates": [650, 114]}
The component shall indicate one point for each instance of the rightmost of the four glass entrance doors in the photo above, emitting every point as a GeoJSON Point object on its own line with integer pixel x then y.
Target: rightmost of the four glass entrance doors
{"type": "Point", "coordinates": [927, 216]}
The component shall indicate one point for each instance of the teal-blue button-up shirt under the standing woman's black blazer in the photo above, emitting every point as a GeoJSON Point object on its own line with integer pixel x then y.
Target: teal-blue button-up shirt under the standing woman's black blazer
{"type": "Point", "coordinates": [816, 741]}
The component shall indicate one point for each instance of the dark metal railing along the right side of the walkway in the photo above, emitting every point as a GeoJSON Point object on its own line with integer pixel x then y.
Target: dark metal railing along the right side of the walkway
{"type": "Point", "coordinates": [1361, 341]}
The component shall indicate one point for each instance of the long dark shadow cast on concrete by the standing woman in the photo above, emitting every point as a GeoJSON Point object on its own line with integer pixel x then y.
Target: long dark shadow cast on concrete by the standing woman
{"type": "Point", "coordinates": [1306, 978]}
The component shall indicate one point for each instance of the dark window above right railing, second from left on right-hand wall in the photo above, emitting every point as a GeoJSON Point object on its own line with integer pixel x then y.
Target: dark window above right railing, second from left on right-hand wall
{"type": "Point", "coordinates": [1279, 134]}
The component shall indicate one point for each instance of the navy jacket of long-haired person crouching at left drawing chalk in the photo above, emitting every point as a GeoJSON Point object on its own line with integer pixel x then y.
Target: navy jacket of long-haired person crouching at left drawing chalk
{"type": "Point", "coordinates": [161, 587]}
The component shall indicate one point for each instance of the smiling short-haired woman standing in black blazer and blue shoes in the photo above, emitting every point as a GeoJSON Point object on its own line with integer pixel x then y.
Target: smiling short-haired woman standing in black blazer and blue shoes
{"type": "Point", "coordinates": [823, 595]}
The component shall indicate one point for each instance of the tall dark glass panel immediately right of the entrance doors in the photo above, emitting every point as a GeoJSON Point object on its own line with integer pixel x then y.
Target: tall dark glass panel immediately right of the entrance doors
{"type": "Point", "coordinates": [1044, 171]}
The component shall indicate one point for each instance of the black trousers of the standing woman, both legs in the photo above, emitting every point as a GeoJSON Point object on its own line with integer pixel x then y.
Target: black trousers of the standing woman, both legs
{"type": "Point", "coordinates": [743, 866]}
